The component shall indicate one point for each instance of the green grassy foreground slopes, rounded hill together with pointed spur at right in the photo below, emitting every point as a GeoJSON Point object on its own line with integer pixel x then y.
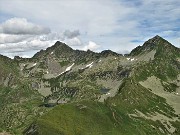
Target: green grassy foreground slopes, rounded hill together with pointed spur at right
{"type": "Point", "coordinates": [109, 118]}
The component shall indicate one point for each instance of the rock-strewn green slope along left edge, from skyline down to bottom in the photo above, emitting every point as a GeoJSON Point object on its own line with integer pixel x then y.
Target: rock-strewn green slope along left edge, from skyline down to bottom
{"type": "Point", "coordinates": [18, 102]}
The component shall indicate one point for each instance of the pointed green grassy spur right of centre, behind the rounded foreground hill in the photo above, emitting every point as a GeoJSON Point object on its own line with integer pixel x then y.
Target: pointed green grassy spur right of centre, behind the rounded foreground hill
{"type": "Point", "coordinates": [134, 96]}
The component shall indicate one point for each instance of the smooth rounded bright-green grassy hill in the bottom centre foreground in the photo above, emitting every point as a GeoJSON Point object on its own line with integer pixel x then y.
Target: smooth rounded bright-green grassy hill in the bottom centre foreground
{"type": "Point", "coordinates": [93, 118]}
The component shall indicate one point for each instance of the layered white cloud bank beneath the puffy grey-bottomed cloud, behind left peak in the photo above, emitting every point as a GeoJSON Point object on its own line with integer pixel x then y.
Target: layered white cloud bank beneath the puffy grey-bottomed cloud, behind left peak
{"type": "Point", "coordinates": [22, 44]}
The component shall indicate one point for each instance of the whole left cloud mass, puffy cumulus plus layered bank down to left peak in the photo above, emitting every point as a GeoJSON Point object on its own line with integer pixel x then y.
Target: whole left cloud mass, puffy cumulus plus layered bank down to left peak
{"type": "Point", "coordinates": [19, 36]}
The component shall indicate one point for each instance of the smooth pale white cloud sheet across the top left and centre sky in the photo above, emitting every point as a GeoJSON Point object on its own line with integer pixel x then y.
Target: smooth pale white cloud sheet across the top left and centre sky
{"type": "Point", "coordinates": [93, 17]}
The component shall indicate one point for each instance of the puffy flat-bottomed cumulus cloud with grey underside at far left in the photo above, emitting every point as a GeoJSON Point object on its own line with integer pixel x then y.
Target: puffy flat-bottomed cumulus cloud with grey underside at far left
{"type": "Point", "coordinates": [22, 26]}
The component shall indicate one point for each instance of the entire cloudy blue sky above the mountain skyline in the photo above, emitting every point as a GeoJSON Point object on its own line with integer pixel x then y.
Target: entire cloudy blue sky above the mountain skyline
{"type": "Point", "coordinates": [119, 25]}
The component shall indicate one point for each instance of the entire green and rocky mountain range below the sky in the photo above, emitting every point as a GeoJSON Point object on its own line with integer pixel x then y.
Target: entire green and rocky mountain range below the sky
{"type": "Point", "coordinates": [61, 91]}
